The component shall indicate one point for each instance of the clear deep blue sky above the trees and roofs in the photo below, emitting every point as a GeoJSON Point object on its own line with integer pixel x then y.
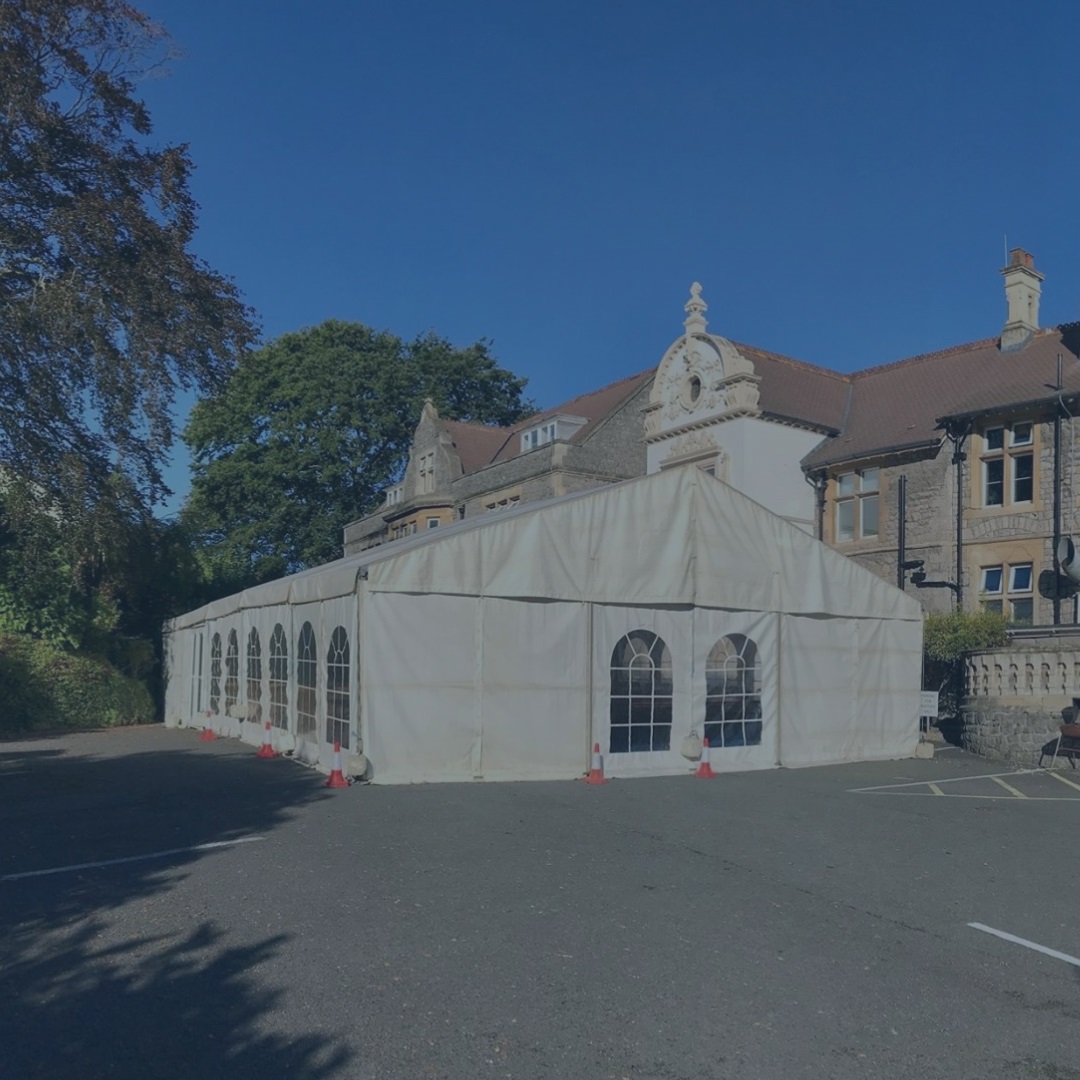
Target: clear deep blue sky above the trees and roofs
{"type": "Point", "coordinates": [841, 177]}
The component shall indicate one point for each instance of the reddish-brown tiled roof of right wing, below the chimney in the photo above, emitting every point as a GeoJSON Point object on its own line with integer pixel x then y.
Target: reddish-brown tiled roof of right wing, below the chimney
{"type": "Point", "coordinates": [900, 406]}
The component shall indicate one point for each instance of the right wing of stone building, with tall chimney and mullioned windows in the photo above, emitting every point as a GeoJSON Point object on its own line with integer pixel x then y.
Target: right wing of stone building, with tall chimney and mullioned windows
{"type": "Point", "coordinates": [973, 431]}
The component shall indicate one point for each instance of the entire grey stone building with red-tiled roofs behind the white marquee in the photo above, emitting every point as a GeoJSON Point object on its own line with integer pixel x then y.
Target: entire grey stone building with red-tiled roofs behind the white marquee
{"type": "Point", "coordinates": [970, 433]}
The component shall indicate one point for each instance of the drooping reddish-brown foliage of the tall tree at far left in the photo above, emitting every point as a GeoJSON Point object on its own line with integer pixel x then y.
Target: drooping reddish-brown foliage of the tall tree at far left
{"type": "Point", "coordinates": [105, 314]}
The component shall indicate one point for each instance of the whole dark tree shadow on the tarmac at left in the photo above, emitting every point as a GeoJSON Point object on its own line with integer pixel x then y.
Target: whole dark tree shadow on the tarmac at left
{"type": "Point", "coordinates": [90, 987]}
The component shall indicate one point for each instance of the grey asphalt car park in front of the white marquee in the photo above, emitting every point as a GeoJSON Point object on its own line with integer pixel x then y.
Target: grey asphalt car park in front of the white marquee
{"type": "Point", "coordinates": [178, 909]}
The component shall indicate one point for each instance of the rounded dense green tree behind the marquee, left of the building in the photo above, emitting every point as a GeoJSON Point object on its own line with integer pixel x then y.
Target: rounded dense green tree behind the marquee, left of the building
{"type": "Point", "coordinates": [308, 433]}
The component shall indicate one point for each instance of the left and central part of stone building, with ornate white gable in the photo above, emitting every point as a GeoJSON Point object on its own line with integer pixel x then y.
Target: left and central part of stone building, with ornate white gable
{"type": "Point", "coordinates": [744, 414]}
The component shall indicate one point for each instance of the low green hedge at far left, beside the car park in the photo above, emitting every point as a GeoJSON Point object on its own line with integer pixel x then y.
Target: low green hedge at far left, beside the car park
{"type": "Point", "coordinates": [46, 688]}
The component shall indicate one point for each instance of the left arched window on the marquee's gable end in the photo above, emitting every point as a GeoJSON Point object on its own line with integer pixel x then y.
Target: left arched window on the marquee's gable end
{"type": "Point", "coordinates": [641, 694]}
